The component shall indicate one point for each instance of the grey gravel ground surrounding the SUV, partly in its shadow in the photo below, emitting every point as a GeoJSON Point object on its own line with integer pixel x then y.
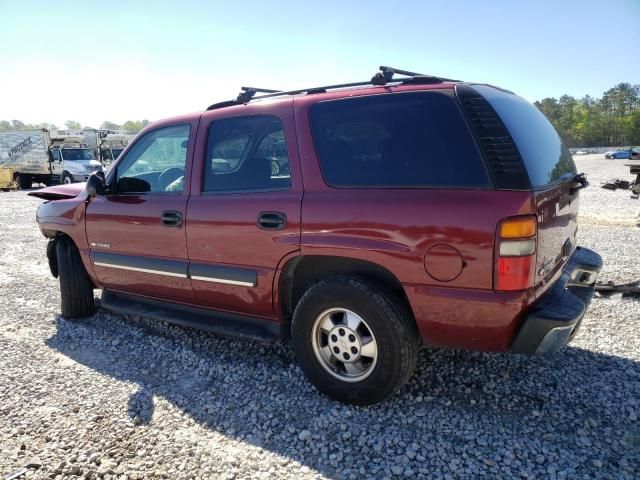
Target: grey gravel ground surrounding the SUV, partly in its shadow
{"type": "Point", "coordinates": [116, 397]}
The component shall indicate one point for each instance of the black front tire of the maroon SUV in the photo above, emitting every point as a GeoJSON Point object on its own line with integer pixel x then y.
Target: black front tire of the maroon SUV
{"type": "Point", "coordinates": [76, 288]}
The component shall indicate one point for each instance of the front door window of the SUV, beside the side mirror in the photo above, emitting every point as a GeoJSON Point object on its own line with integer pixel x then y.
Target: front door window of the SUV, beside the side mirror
{"type": "Point", "coordinates": [156, 162]}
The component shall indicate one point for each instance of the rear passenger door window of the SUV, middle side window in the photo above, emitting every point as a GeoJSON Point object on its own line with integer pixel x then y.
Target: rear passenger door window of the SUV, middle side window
{"type": "Point", "coordinates": [246, 153]}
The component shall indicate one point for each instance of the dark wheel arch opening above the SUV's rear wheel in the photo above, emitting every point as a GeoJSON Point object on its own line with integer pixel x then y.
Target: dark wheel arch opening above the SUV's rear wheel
{"type": "Point", "coordinates": [301, 272]}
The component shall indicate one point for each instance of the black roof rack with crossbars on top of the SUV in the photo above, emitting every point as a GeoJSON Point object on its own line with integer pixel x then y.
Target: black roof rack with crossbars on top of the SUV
{"type": "Point", "coordinates": [384, 76]}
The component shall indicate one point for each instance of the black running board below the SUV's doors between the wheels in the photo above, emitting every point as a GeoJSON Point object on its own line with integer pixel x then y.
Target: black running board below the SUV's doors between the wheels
{"type": "Point", "coordinates": [221, 323]}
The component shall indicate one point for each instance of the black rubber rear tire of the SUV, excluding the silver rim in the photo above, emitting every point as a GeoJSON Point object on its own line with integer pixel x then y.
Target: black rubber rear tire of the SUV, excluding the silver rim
{"type": "Point", "coordinates": [390, 323]}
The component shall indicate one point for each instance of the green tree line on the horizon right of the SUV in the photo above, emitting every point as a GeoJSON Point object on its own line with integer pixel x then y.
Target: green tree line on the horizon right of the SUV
{"type": "Point", "coordinates": [612, 120]}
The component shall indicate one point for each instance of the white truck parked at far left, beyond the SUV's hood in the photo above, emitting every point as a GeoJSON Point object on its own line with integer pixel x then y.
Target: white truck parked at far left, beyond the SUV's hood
{"type": "Point", "coordinates": [47, 156]}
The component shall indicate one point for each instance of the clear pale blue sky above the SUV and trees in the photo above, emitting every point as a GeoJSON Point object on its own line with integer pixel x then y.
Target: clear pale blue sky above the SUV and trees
{"type": "Point", "coordinates": [118, 60]}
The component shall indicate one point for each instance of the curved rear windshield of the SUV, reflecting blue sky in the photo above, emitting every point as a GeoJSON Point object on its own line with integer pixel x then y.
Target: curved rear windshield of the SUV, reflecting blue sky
{"type": "Point", "coordinates": [545, 155]}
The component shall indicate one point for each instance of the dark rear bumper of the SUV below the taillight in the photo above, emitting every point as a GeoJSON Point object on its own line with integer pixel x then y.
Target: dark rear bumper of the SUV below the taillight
{"type": "Point", "coordinates": [554, 319]}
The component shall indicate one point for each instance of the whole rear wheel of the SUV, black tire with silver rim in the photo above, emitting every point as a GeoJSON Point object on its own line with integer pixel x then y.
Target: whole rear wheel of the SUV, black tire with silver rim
{"type": "Point", "coordinates": [354, 341]}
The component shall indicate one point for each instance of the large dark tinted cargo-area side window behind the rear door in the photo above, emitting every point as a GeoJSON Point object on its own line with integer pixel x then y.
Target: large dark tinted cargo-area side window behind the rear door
{"type": "Point", "coordinates": [397, 140]}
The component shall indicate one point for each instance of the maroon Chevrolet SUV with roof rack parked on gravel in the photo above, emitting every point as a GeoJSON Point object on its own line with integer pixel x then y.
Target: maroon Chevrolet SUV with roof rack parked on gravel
{"type": "Point", "coordinates": [361, 219]}
